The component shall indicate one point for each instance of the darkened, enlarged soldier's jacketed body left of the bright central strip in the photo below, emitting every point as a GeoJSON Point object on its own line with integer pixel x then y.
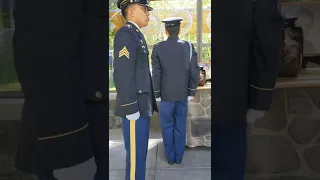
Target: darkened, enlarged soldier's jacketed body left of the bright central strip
{"type": "Point", "coordinates": [63, 76]}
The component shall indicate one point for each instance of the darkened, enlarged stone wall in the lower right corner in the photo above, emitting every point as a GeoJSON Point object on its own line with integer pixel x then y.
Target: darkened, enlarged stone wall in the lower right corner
{"type": "Point", "coordinates": [285, 143]}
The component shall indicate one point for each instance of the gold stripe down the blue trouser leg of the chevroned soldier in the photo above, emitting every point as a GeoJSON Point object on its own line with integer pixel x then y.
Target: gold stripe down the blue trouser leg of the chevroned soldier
{"type": "Point", "coordinates": [132, 150]}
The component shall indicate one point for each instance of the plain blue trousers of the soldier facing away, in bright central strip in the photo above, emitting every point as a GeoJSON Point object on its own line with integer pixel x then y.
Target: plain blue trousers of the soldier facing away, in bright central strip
{"type": "Point", "coordinates": [173, 119]}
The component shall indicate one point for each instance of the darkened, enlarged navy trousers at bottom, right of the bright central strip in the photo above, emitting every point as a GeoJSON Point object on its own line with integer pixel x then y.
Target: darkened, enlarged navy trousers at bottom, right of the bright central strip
{"type": "Point", "coordinates": [228, 151]}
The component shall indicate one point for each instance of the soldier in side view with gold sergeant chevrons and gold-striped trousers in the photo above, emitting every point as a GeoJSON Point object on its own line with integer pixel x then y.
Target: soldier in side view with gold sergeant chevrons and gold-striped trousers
{"type": "Point", "coordinates": [135, 100]}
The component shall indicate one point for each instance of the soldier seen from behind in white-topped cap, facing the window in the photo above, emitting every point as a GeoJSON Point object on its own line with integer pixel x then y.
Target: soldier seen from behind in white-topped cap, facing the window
{"type": "Point", "coordinates": [175, 75]}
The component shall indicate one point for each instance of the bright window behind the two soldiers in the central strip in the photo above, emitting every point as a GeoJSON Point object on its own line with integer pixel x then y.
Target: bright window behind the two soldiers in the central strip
{"type": "Point", "coordinates": [192, 16]}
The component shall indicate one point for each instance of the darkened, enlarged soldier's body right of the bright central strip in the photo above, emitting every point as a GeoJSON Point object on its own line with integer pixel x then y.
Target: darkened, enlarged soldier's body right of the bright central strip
{"type": "Point", "coordinates": [247, 47]}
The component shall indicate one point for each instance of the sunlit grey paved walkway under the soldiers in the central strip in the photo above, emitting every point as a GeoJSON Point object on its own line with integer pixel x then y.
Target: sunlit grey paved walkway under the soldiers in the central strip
{"type": "Point", "coordinates": [196, 163]}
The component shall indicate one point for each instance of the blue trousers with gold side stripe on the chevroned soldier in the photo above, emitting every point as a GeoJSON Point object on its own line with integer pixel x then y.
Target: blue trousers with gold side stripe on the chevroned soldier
{"type": "Point", "coordinates": [139, 129]}
